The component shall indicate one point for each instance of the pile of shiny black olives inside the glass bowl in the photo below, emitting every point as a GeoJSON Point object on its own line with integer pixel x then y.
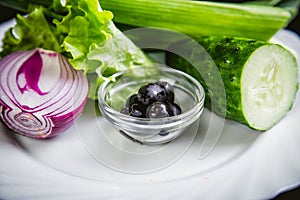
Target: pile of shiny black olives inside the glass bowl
{"type": "Point", "coordinates": [154, 100]}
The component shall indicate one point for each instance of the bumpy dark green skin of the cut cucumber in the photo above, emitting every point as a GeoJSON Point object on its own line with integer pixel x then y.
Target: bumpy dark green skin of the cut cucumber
{"type": "Point", "coordinates": [229, 56]}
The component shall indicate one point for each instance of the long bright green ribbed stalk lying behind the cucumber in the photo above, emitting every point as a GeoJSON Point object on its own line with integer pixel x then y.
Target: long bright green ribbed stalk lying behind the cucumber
{"type": "Point", "coordinates": [201, 18]}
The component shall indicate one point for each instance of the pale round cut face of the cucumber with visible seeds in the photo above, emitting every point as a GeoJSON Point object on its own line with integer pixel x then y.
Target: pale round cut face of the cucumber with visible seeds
{"type": "Point", "coordinates": [269, 84]}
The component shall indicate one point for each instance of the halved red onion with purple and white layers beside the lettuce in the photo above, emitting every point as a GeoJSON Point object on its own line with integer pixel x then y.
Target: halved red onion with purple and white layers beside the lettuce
{"type": "Point", "coordinates": [40, 93]}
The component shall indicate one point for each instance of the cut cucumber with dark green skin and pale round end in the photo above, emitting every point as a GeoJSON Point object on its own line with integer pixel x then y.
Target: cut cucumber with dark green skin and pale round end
{"type": "Point", "coordinates": [260, 79]}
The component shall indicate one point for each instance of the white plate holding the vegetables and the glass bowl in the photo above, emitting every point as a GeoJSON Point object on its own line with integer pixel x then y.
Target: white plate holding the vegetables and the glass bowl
{"type": "Point", "coordinates": [92, 161]}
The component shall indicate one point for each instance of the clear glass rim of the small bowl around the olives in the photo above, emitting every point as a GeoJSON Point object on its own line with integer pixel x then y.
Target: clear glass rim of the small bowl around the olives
{"type": "Point", "coordinates": [106, 108]}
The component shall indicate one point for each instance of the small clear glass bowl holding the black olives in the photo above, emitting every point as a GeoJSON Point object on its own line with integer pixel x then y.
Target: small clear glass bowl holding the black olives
{"type": "Point", "coordinates": [113, 93]}
